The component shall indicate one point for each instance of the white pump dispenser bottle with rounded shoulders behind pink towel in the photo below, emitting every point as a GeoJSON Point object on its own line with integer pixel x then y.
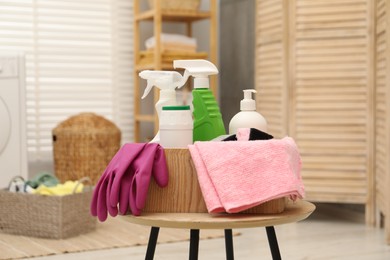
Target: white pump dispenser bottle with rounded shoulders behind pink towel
{"type": "Point", "coordinates": [248, 117]}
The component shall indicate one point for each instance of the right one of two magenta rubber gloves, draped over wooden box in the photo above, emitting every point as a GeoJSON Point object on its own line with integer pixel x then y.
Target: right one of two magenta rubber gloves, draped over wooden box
{"type": "Point", "coordinates": [152, 162]}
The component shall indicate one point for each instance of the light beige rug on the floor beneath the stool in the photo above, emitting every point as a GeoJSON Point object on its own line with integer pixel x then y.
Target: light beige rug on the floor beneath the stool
{"type": "Point", "coordinates": [113, 233]}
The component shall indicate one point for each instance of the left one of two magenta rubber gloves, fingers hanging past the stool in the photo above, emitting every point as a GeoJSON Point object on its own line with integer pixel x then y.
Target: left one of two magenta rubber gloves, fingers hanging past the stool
{"type": "Point", "coordinates": [117, 167]}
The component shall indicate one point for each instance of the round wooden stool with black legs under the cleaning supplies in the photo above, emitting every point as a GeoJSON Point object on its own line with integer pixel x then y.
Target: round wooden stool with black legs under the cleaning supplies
{"type": "Point", "coordinates": [195, 221]}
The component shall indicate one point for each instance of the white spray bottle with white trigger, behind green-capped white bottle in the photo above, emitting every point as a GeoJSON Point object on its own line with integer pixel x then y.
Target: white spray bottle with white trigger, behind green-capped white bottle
{"type": "Point", "coordinates": [167, 82]}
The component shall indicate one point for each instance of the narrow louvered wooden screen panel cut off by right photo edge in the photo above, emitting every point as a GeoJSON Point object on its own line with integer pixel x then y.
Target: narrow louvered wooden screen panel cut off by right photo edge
{"type": "Point", "coordinates": [382, 110]}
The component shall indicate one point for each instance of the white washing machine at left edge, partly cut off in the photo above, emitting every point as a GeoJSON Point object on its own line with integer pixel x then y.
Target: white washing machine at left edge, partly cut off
{"type": "Point", "coordinates": [13, 141]}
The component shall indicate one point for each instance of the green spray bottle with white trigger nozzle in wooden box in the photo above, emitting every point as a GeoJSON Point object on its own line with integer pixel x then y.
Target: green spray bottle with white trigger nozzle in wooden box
{"type": "Point", "coordinates": [208, 123]}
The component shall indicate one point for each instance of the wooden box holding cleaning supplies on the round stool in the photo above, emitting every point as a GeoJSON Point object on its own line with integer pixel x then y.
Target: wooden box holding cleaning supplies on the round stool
{"type": "Point", "coordinates": [183, 193]}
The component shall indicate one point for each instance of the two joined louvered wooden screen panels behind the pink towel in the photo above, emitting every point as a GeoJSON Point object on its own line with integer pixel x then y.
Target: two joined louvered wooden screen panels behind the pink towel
{"type": "Point", "coordinates": [315, 82]}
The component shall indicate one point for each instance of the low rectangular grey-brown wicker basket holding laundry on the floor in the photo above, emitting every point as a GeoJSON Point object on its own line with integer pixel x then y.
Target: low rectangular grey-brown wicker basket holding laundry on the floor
{"type": "Point", "coordinates": [55, 217]}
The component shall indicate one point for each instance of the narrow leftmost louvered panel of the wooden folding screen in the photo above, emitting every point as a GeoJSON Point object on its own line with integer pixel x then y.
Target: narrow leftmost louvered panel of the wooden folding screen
{"type": "Point", "coordinates": [271, 64]}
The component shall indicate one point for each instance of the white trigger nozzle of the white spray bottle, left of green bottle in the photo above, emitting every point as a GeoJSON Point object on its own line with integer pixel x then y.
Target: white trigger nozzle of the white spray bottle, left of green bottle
{"type": "Point", "coordinates": [164, 80]}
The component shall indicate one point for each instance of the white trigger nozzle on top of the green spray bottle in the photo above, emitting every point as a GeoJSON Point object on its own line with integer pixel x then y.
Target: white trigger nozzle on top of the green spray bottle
{"type": "Point", "coordinates": [199, 69]}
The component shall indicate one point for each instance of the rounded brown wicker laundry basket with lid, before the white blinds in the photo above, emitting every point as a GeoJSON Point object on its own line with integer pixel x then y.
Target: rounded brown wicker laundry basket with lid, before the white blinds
{"type": "Point", "coordinates": [83, 145]}
